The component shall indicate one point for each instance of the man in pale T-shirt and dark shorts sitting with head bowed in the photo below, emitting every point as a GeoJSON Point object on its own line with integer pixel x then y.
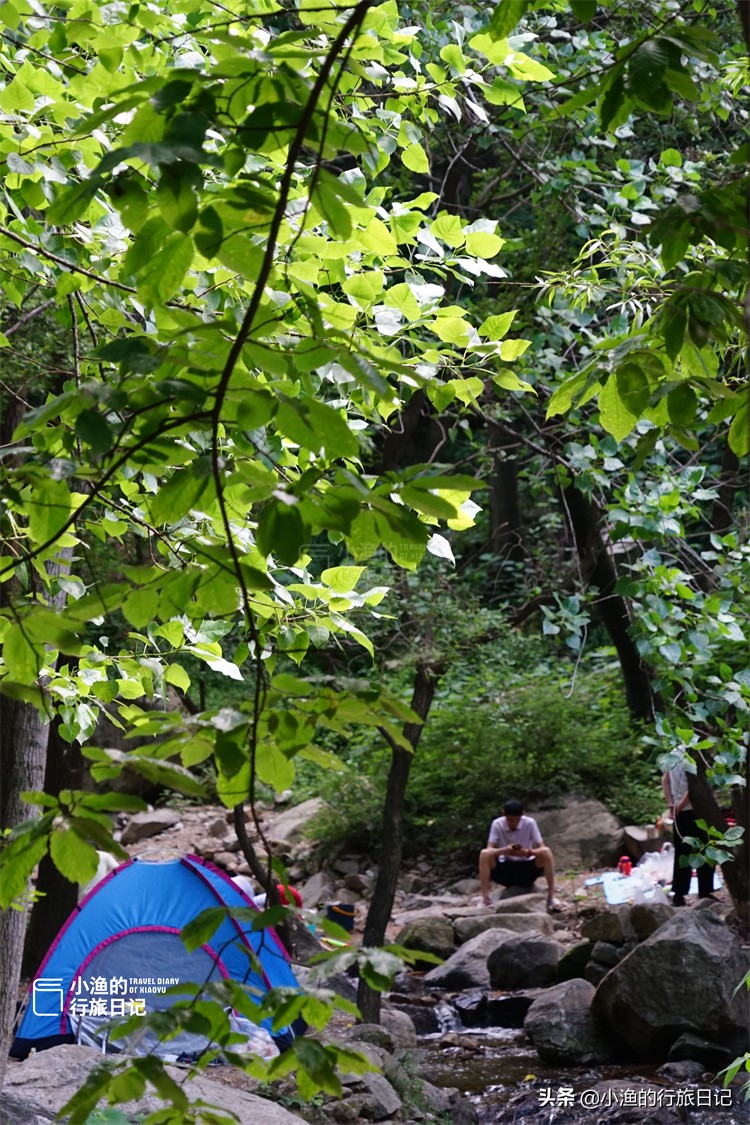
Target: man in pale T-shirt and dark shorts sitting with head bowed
{"type": "Point", "coordinates": [516, 856]}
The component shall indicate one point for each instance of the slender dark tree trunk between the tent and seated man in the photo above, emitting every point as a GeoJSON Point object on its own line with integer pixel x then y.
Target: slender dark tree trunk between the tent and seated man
{"type": "Point", "coordinates": [426, 683]}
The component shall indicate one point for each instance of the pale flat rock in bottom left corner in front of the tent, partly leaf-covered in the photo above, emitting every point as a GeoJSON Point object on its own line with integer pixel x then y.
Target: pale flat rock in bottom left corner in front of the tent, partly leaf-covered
{"type": "Point", "coordinates": [52, 1077]}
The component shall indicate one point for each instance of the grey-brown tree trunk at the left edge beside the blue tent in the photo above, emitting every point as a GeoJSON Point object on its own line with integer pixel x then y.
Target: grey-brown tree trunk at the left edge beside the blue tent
{"type": "Point", "coordinates": [24, 735]}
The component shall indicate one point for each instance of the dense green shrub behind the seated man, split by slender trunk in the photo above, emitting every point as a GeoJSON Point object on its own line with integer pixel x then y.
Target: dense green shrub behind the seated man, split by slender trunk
{"type": "Point", "coordinates": [534, 742]}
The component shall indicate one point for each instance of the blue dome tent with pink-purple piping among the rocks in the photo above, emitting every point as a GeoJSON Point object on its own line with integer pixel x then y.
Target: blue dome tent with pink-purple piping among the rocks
{"type": "Point", "coordinates": [121, 951]}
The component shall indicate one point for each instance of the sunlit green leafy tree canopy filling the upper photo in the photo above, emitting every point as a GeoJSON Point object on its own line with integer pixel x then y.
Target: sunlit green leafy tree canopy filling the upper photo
{"type": "Point", "coordinates": [243, 248]}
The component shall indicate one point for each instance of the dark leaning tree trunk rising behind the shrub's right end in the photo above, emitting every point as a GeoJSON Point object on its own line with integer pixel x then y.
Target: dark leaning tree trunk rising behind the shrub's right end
{"type": "Point", "coordinates": [599, 570]}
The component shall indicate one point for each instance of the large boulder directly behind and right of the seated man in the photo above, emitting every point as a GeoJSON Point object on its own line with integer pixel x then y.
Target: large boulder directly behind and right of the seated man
{"type": "Point", "coordinates": [582, 834]}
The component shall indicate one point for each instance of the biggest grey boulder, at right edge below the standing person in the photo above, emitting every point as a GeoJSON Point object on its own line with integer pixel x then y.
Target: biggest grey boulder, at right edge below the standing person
{"type": "Point", "coordinates": [681, 979]}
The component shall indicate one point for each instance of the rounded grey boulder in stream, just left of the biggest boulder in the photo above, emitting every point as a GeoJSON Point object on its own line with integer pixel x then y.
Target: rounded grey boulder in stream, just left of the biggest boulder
{"type": "Point", "coordinates": [563, 1029]}
